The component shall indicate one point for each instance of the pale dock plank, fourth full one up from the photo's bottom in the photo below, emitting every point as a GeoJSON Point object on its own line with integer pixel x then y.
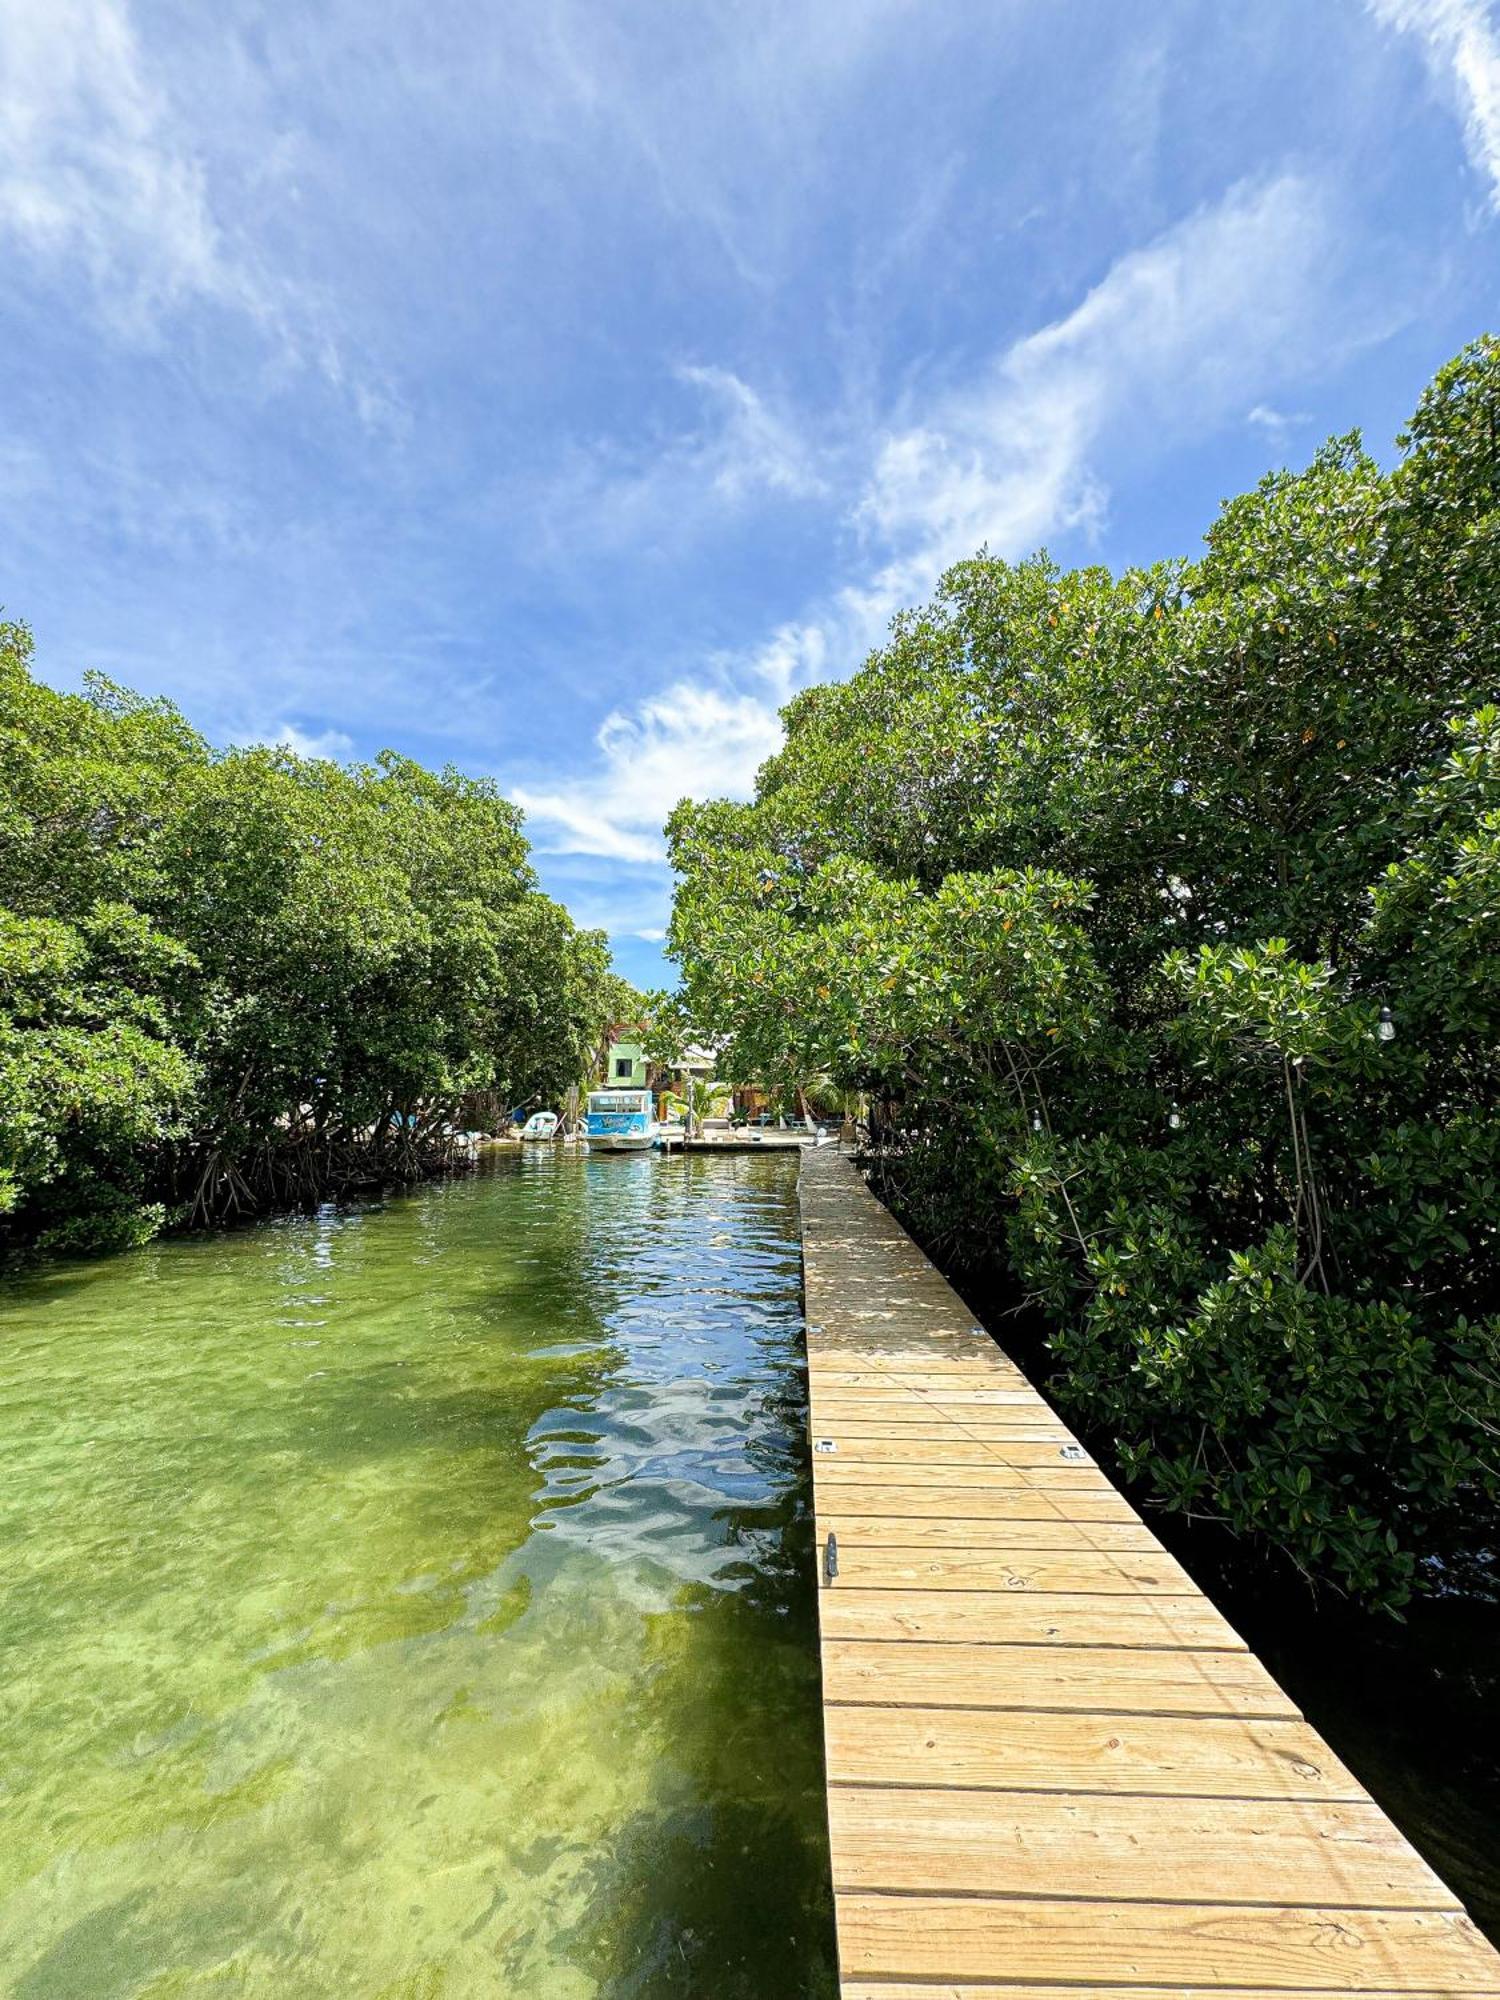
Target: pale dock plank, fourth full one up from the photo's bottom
{"type": "Point", "coordinates": [1093, 1679]}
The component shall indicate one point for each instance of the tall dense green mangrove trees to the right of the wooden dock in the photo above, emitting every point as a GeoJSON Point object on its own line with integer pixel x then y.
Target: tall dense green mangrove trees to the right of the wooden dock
{"type": "Point", "coordinates": [1099, 887]}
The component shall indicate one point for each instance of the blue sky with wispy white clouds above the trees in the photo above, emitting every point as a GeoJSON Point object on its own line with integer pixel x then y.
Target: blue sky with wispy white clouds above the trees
{"type": "Point", "coordinates": [555, 389]}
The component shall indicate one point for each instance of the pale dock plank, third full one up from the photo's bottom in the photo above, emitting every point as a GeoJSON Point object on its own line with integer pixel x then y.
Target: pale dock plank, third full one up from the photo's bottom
{"type": "Point", "coordinates": [1183, 1757]}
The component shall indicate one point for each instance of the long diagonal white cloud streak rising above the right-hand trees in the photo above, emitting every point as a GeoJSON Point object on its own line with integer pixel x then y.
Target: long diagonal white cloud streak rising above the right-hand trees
{"type": "Point", "coordinates": [1167, 343]}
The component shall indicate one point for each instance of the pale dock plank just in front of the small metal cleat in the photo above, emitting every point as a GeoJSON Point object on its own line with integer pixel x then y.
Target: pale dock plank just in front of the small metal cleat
{"type": "Point", "coordinates": [1027, 1619]}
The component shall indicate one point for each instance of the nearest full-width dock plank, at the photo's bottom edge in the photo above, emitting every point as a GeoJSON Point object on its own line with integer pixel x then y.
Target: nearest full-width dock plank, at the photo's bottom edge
{"type": "Point", "coordinates": [1201, 1945]}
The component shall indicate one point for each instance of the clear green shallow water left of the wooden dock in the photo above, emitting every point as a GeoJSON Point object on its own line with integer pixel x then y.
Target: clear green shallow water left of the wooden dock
{"type": "Point", "coordinates": [415, 1605]}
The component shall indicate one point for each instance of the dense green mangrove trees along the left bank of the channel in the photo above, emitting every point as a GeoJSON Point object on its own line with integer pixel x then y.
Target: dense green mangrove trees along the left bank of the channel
{"type": "Point", "coordinates": [237, 981]}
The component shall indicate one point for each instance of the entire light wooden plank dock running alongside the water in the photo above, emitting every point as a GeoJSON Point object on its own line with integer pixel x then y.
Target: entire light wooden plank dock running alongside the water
{"type": "Point", "coordinates": [1051, 1761]}
